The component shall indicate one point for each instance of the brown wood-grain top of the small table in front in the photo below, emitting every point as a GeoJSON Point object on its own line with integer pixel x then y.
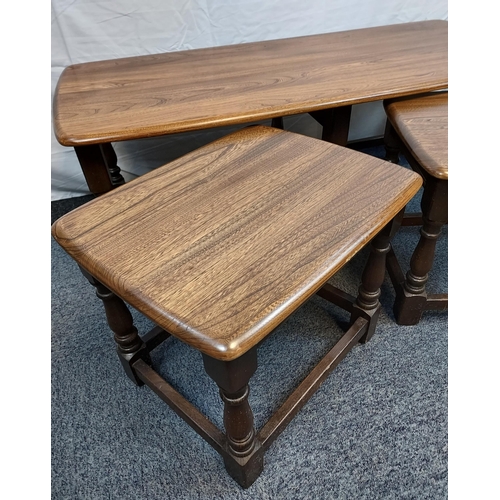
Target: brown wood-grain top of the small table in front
{"type": "Point", "coordinates": [221, 245]}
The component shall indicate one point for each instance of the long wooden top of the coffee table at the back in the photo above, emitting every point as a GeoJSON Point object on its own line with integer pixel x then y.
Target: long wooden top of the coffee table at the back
{"type": "Point", "coordinates": [152, 95]}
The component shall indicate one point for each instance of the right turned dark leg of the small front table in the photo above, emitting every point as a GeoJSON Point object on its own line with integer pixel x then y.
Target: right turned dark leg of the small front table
{"type": "Point", "coordinates": [367, 303]}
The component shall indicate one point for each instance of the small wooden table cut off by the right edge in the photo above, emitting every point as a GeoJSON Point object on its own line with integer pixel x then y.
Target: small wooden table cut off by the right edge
{"type": "Point", "coordinates": [418, 127]}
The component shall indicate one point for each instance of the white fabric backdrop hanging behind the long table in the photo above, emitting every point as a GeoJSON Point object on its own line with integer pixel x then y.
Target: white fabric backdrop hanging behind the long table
{"type": "Point", "coordinates": [91, 30]}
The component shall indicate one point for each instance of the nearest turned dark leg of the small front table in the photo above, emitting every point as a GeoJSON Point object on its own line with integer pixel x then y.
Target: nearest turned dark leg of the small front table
{"type": "Point", "coordinates": [244, 463]}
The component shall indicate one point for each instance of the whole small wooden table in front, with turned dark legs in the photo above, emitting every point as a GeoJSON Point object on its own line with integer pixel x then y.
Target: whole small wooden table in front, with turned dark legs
{"type": "Point", "coordinates": [220, 246]}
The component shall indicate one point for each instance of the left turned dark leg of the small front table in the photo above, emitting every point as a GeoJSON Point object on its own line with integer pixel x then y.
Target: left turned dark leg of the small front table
{"type": "Point", "coordinates": [129, 345]}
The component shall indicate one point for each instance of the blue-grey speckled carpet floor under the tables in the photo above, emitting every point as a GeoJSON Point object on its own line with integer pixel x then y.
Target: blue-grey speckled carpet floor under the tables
{"type": "Point", "coordinates": [376, 428]}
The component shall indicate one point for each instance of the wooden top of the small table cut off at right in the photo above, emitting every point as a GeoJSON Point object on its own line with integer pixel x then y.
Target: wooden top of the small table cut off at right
{"type": "Point", "coordinates": [422, 124]}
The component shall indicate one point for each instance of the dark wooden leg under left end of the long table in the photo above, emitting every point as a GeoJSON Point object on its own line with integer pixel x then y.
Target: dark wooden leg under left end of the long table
{"type": "Point", "coordinates": [99, 166]}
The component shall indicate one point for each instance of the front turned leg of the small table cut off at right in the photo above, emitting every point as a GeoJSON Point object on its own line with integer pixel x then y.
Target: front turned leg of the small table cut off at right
{"type": "Point", "coordinates": [411, 298]}
